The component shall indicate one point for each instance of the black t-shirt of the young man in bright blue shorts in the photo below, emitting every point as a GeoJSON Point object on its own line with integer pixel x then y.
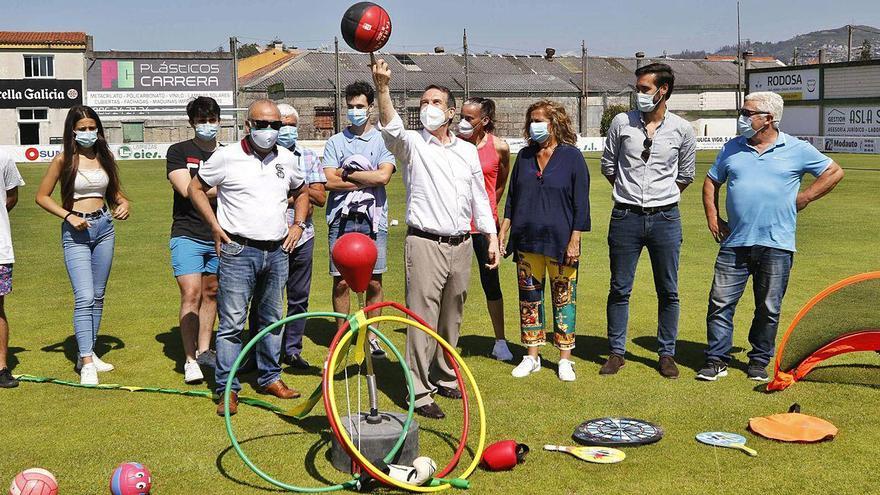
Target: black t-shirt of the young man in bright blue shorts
{"type": "Point", "coordinates": [186, 220]}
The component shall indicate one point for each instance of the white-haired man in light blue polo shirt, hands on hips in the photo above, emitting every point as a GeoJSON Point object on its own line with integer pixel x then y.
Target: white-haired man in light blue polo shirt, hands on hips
{"type": "Point", "coordinates": [763, 169]}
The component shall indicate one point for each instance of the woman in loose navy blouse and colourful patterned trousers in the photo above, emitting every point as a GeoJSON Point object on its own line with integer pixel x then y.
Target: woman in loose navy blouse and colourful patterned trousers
{"type": "Point", "coordinates": [548, 206]}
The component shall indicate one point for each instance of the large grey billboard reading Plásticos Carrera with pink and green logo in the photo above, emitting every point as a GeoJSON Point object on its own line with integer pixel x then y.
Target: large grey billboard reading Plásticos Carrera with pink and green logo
{"type": "Point", "coordinates": [121, 88]}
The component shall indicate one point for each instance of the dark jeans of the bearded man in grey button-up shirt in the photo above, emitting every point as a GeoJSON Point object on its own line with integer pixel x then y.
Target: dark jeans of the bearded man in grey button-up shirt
{"type": "Point", "coordinates": [628, 233]}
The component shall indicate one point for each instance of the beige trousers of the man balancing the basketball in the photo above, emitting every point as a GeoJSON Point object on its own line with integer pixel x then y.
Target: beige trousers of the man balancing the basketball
{"type": "Point", "coordinates": [437, 279]}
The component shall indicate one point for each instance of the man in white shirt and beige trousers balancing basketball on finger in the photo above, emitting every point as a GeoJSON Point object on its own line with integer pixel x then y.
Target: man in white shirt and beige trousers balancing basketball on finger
{"type": "Point", "coordinates": [444, 190]}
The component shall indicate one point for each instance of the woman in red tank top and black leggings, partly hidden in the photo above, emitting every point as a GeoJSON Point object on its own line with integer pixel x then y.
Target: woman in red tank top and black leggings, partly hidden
{"type": "Point", "coordinates": [476, 126]}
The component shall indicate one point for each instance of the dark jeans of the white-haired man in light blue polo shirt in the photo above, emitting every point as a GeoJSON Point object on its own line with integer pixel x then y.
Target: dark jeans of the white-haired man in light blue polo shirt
{"type": "Point", "coordinates": [769, 268]}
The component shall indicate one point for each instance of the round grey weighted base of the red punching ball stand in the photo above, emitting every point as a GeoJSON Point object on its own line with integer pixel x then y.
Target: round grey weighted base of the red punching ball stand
{"type": "Point", "coordinates": [378, 436]}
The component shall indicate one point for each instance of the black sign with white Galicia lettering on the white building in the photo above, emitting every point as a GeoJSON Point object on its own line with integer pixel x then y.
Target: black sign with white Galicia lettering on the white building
{"type": "Point", "coordinates": [51, 93]}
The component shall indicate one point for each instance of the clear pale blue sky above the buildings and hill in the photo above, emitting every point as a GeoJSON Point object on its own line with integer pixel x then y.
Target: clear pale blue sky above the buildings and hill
{"type": "Point", "coordinates": [513, 26]}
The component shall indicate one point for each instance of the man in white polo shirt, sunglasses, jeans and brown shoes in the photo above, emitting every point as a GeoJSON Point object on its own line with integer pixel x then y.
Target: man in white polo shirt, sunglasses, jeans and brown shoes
{"type": "Point", "coordinates": [253, 179]}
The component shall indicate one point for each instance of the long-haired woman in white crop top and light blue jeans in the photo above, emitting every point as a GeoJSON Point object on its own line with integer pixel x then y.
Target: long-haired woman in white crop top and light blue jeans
{"type": "Point", "coordinates": [91, 198]}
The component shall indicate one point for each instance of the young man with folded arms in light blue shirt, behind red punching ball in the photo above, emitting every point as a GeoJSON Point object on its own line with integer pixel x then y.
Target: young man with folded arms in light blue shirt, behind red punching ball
{"type": "Point", "coordinates": [355, 161]}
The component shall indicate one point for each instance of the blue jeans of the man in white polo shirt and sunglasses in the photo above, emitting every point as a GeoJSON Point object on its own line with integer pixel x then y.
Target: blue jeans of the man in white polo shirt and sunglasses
{"type": "Point", "coordinates": [255, 276]}
